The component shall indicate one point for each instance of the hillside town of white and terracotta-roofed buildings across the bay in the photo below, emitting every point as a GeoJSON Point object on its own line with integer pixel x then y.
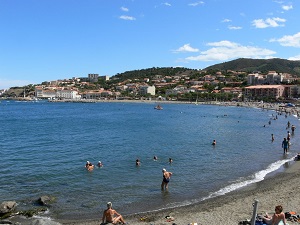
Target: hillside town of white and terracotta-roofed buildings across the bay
{"type": "Point", "coordinates": [172, 84]}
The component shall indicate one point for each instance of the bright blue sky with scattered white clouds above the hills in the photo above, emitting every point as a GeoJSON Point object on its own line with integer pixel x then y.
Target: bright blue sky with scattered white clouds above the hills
{"type": "Point", "coordinates": [46, 40]}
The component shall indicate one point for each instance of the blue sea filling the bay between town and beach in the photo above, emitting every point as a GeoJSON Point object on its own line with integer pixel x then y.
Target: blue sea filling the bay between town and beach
{"type": "Point", "coordinates": [45, 145]}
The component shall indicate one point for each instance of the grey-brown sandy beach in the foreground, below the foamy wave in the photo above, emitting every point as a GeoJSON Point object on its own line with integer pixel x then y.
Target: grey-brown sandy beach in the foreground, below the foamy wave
{"type": "Point", "coordinates": [230, 209]}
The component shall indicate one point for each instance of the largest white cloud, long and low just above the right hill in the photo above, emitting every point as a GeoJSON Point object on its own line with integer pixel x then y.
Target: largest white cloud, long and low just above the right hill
{"type": "Point", "coordinates": [226, 50]}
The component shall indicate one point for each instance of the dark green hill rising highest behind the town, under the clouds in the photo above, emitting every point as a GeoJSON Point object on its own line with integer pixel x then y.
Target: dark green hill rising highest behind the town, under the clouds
{"type": "Point", "coordinates": [262, 65]}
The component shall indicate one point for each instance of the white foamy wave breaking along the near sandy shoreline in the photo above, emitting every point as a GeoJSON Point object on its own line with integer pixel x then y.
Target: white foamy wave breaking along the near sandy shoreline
{"type": "Point", "coordinates": [258, 176]}
